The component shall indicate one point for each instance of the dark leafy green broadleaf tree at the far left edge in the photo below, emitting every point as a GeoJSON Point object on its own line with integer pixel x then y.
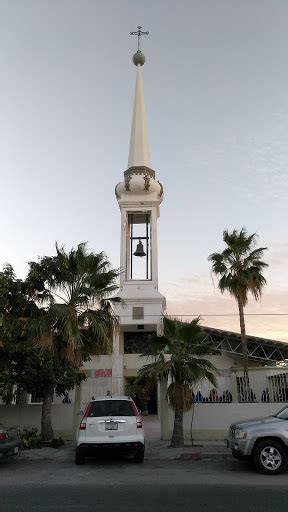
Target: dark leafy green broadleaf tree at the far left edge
{"type": "Point", "coordinates": [22, 363]}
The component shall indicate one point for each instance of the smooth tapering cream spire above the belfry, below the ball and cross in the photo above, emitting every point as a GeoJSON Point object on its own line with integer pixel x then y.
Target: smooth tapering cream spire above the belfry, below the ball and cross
{"type": "Point", "coordinates": [139, 147]}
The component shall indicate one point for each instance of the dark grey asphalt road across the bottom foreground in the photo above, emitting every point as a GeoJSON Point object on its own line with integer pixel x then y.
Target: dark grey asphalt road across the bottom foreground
{"type": "Point", "coordinates": [119, 485]}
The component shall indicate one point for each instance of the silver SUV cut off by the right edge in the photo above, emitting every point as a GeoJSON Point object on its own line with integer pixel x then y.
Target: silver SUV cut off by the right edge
{"type": "Point", "coordinates": [264, 440]}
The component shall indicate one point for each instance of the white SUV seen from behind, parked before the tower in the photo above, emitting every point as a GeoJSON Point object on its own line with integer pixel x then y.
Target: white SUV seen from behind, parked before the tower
{"type": "Point", "coordinates": [110, 423]}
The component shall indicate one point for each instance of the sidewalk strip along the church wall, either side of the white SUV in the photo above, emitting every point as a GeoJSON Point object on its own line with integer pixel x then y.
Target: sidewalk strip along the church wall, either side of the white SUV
{"type": "Point", "coordinates": [154, 450]}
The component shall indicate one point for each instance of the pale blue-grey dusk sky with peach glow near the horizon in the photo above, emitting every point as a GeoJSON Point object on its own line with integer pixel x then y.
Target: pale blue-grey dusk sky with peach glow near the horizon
{"type": "Point", "coordinates": [215, 85]}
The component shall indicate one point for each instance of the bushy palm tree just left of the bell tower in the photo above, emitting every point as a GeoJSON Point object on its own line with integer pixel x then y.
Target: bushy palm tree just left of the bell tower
{"type": "Point", "coordinates": [76, 318]}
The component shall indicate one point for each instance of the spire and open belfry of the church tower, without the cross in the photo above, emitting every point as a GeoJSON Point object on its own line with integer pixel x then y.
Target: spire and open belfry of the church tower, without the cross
{"type": "Point", "coordinates": [139, 197]}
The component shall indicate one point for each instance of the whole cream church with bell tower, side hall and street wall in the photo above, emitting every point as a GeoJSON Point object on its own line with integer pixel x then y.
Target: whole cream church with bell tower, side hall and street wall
{"type": "Point", "coordinates": [140, 311]}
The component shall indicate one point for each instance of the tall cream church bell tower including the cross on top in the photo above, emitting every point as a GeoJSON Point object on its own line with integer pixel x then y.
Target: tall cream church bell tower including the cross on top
{"type": "Point", "coordinates": [139, 196]}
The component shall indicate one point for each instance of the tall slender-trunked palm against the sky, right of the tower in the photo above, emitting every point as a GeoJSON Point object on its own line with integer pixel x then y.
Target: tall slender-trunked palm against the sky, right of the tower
{"type": "Point", "coordinates": [239, 268]}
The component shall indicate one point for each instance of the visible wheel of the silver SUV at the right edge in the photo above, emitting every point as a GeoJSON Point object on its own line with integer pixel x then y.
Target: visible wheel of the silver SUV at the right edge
{"type": "Point", "coordinates": [270, 457]}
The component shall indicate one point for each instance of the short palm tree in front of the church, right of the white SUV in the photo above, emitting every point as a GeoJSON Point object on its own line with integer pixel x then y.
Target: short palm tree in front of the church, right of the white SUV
{"type": "Point", "coordinates": [179, 357]}
